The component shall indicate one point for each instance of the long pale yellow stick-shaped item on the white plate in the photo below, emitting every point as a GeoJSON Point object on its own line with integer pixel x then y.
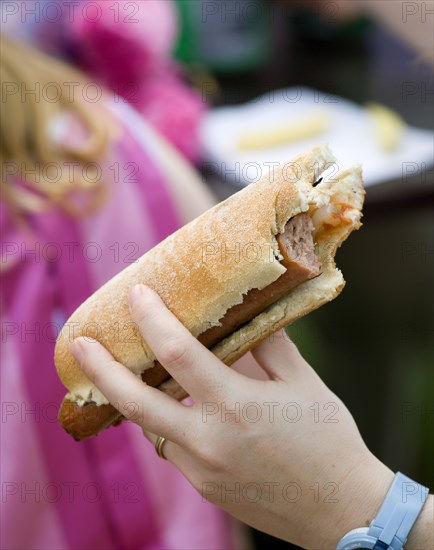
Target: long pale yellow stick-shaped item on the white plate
{"type": "Point", "coordinates": [303, 128]}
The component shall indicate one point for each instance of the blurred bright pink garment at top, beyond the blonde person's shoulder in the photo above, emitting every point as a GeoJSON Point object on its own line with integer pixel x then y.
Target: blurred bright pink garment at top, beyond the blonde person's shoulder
{"type": "Point", "coordinates": [130, 52]}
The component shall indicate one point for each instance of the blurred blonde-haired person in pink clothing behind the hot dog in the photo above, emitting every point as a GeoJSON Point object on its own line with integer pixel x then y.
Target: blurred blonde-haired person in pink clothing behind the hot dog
{"type": "Point", "coordinates": [87, 187]}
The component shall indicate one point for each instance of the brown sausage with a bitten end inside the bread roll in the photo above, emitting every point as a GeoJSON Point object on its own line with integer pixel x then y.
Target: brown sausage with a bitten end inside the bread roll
{"type": "Point", "coordinates": [298, 250]}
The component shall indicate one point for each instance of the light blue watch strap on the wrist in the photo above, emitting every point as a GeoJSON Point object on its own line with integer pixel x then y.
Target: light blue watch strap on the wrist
{"type": "Point", "coordinates": [400, 509]}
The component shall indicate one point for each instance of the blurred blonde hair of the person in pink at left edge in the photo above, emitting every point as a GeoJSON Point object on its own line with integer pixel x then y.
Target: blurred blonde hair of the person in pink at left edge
{"type": "Point", "coordinates": [26, 144]}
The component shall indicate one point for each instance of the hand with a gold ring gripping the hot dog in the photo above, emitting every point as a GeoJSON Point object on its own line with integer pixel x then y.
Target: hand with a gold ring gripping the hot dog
{"type": "Point", "coordinates": [283, 455]}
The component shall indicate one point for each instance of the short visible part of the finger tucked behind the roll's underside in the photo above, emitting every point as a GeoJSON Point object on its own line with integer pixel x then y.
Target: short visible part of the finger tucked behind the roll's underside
{"type": "Point", "coordinates": [278, 356]}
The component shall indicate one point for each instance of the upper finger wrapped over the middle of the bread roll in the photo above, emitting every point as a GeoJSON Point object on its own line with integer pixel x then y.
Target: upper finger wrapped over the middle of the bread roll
{"type": "Point", "coordinates": [192, 365]}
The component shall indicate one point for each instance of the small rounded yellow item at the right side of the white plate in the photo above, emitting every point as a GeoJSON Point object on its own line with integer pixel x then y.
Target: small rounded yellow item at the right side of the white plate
{"type": "Point", "coordinates": [389, 126]}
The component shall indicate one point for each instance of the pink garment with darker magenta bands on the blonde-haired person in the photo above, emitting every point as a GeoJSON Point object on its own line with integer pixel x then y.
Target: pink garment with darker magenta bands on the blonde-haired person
{"type": "Point", "coordinates": [112, 491]}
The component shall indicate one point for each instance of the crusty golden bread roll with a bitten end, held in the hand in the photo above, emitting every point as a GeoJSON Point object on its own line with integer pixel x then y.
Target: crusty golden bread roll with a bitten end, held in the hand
{"type": "Point", "coordinates": [209, 265]}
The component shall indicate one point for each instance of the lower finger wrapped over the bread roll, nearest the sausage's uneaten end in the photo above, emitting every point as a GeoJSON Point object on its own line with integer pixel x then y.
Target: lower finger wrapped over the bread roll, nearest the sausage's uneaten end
{"type": "Point", "coordinates": [138, 402]}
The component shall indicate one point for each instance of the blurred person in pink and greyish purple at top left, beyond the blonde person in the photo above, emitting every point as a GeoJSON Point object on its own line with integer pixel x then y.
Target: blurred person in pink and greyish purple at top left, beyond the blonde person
{"type": "Point", "coordinates": [127, 47]}
